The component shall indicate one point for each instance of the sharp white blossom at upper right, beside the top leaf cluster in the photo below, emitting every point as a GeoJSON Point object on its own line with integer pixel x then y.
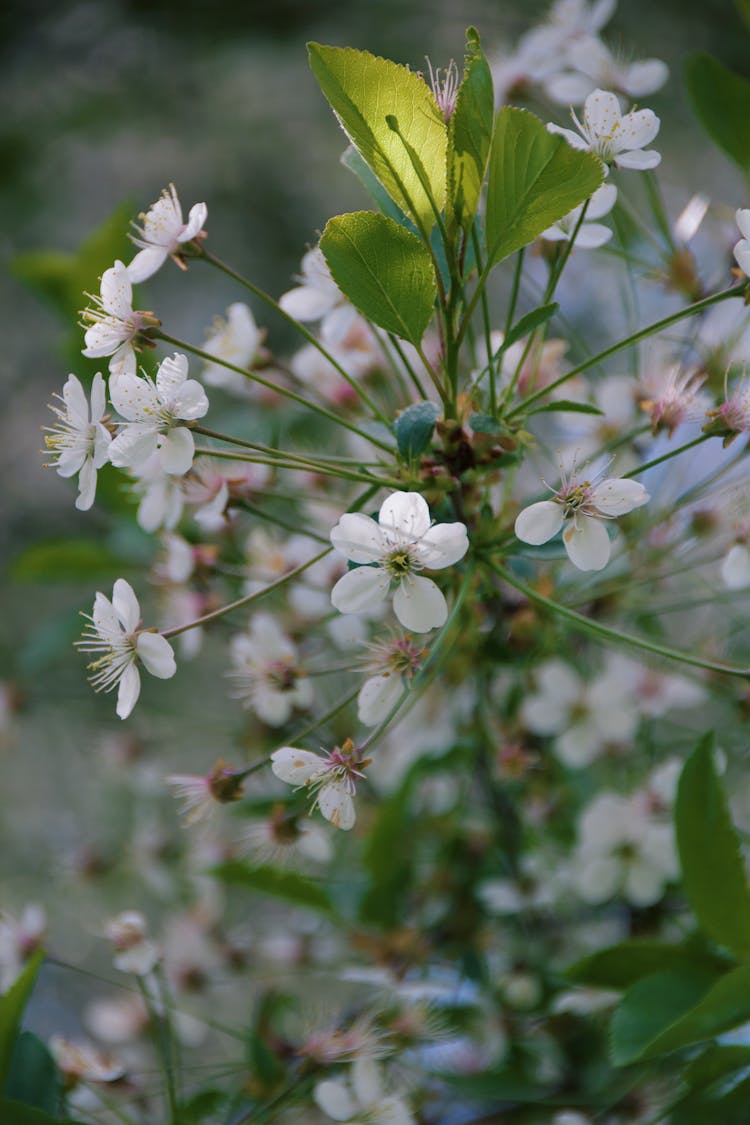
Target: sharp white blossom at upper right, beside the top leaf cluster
{"type": "Point", "coordinates": [613, 138]}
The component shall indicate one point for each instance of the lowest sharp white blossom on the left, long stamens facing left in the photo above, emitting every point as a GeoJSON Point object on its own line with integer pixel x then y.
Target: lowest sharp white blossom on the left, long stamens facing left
{"type": "Point", "coordinates": [114, 637]}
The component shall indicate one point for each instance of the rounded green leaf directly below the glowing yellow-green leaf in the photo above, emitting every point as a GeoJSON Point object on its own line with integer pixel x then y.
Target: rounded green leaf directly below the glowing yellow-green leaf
{"type": "Point", "coordinates": [384, 271]}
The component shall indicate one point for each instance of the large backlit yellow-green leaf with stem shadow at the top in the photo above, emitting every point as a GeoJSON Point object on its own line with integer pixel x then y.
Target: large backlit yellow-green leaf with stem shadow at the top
{"type": "Point", "coordinates": [365, 93]}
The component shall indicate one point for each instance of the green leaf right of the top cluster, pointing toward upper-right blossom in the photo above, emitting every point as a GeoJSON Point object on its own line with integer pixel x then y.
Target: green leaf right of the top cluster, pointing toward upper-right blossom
{"type": "Point", "coordinates": [536, 178]}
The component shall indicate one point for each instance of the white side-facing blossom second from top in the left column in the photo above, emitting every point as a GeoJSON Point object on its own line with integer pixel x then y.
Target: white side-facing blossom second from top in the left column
{"type": "Point", "coordinates": [114, 326]}
